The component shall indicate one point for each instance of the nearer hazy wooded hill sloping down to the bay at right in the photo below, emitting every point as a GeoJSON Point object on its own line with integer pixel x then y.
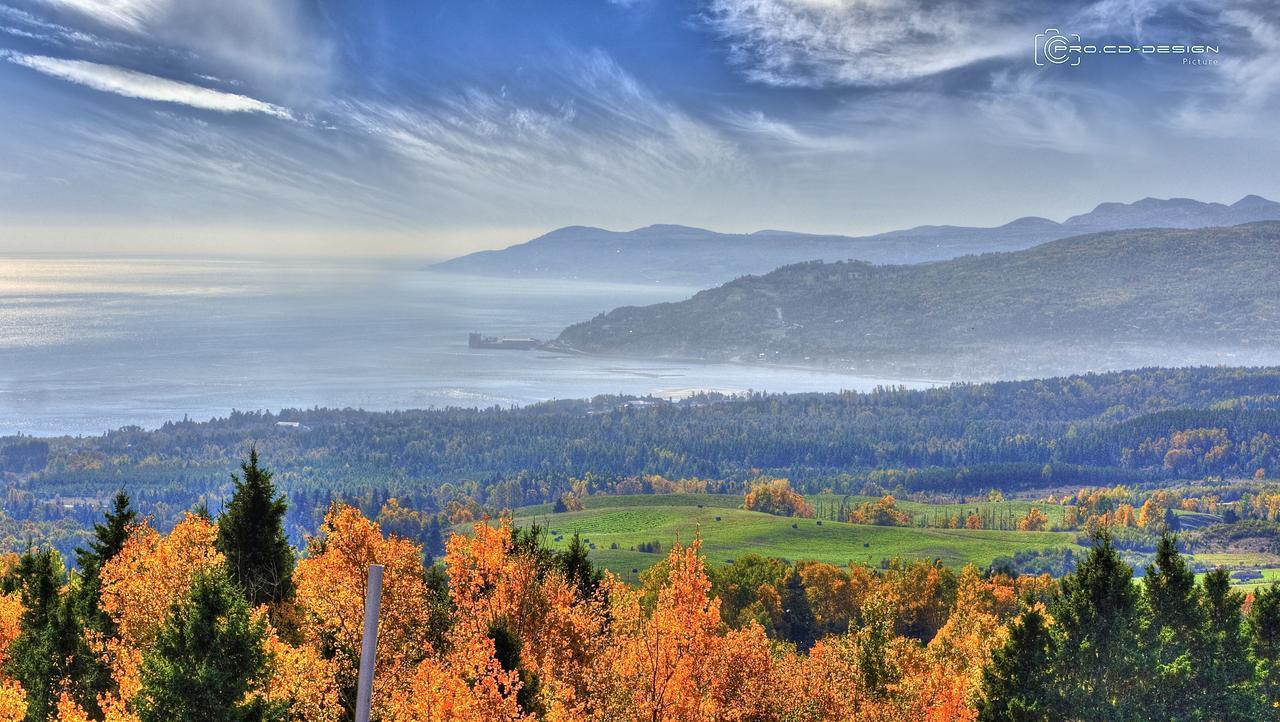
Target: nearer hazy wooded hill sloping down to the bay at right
{"type": "Point", "coordinates": [1121, 298]}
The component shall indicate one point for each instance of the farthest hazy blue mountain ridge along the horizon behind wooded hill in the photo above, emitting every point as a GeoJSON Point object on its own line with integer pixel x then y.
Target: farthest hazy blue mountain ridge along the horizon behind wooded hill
{"type": "Point", "coordinates": [696, 257]}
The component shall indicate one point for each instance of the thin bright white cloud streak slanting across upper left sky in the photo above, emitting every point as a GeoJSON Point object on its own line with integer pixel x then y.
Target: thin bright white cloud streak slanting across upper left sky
{"type": "Point", "coordinates": [132, 84]}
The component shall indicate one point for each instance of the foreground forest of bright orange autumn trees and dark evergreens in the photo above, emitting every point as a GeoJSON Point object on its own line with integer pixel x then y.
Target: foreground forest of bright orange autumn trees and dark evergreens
{"type": "Point", "coordinates": [222, 620]}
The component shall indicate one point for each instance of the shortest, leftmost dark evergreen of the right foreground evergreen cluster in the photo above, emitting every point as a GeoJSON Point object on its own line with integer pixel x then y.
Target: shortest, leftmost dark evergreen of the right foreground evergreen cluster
{"type": "Point", "coordinates": [1018, 686]}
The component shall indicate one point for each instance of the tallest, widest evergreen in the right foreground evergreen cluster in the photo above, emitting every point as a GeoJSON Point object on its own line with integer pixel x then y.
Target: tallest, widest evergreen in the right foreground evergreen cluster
{"type": "Point", "coordinates": [1100, 662]}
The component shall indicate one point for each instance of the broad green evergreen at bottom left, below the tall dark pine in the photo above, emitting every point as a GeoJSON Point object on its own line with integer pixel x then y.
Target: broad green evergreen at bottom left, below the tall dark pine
{"type": "Point", "coordinates": [207, 660]}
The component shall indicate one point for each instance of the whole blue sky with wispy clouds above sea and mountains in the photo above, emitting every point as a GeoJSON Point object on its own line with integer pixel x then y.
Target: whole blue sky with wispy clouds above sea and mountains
{"type": "Point", "coordinates": [437, 127]}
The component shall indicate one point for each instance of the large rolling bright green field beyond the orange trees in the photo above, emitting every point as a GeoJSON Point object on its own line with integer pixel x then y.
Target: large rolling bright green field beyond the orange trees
{"type": "Point", "coordinates": [729, 533]}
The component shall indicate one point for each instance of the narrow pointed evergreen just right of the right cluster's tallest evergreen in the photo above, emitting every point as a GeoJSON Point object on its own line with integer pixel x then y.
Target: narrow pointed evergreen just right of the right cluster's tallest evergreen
{"type": "Point", "coordinates": [1177, 620]}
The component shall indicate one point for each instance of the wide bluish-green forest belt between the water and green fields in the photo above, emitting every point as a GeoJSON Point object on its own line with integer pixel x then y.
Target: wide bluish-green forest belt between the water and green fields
{"type": "Point", "coordinates": [1151, 427]}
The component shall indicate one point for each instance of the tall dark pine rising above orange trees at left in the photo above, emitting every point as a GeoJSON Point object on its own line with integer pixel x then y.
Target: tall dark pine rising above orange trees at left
{"type": "Point", "coordinates": [252, 537]}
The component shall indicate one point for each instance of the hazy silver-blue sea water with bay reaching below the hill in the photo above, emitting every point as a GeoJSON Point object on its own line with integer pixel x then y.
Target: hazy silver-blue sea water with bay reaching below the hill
{"type": "Point", "coordinates": [89, 345]}
